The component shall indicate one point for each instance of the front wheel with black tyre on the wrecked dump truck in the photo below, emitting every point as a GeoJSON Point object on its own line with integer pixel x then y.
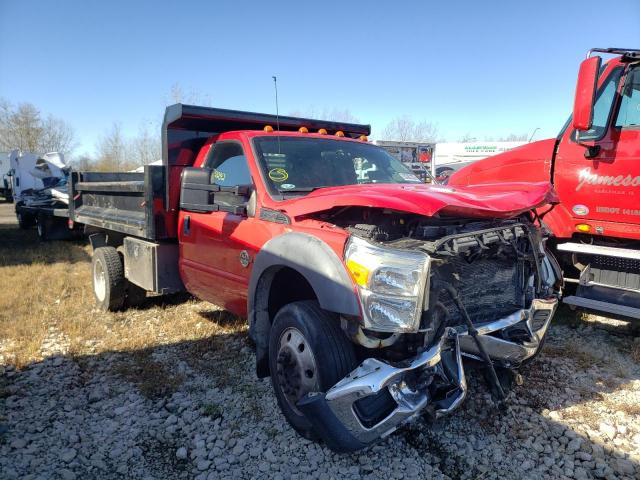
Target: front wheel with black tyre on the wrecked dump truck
{"type": "Point", "coordinates": [307, 353]}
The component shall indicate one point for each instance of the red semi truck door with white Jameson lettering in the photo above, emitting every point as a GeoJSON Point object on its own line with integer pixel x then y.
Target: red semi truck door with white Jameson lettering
{"type": "Point", "coordinates": [605, 187]}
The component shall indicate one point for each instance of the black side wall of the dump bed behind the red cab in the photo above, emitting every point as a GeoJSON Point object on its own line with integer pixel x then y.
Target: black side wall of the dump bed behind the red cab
{"type": "Point", "coordinates": [132, 203]}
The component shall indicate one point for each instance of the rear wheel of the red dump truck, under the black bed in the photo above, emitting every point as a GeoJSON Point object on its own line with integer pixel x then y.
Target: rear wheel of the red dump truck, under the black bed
{"type": "Point", "coordinates": [109, 284]}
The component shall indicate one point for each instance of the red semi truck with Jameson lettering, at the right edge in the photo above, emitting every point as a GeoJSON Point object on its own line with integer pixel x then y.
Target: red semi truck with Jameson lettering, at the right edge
{"type": "Point", "coordinates": [594, 165]}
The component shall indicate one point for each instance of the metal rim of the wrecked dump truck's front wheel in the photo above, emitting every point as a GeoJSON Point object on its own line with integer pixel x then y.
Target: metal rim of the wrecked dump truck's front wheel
{"type": "Point", "coordinates": [296, 367]}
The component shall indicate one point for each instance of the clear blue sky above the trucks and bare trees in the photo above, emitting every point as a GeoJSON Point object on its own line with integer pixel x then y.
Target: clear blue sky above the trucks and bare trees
{"type": "Point", "coordinates": [487, 68]}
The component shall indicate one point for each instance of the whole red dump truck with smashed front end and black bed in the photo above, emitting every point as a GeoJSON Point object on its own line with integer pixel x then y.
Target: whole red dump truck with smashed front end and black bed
{"type": "Point", "coordinates": [363, 289]}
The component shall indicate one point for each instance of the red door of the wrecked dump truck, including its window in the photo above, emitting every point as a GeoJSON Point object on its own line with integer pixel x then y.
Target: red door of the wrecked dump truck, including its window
{"type": "Point", "coordinates": [211, 253]}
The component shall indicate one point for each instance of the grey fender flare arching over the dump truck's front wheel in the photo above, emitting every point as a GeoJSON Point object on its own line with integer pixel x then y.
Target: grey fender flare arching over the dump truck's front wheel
{"type": "Point", "coordinates": [317, 263]}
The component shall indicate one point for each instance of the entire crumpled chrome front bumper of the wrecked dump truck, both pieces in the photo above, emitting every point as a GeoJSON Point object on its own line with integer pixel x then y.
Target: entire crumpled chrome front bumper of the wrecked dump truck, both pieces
{"type": "Point", "coordinates": [433, 381]}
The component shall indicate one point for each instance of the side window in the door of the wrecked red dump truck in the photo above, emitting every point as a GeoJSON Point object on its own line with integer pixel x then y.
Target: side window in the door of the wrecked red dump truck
{"type": "Point", "coordinates": [230, 169]}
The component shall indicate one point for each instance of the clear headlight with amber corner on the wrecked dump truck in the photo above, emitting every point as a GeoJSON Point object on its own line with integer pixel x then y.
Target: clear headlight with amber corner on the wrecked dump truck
{"type": "Point", "coordinates": [391, 285]}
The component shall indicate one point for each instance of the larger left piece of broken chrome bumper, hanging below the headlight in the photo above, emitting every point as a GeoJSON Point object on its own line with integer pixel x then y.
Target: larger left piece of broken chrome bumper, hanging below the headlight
{"type": "Point", "coordinates": [339, 420]}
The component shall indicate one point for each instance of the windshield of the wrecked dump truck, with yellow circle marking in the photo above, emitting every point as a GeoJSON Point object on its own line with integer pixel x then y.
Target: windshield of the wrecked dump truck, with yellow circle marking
{"type": "Point", "coordinates": [295, 165]}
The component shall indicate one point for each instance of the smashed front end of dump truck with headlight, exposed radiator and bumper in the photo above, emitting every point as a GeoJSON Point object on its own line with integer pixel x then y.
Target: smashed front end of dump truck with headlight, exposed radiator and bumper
{"type": "Point", "coordinates": [486, 290]}
